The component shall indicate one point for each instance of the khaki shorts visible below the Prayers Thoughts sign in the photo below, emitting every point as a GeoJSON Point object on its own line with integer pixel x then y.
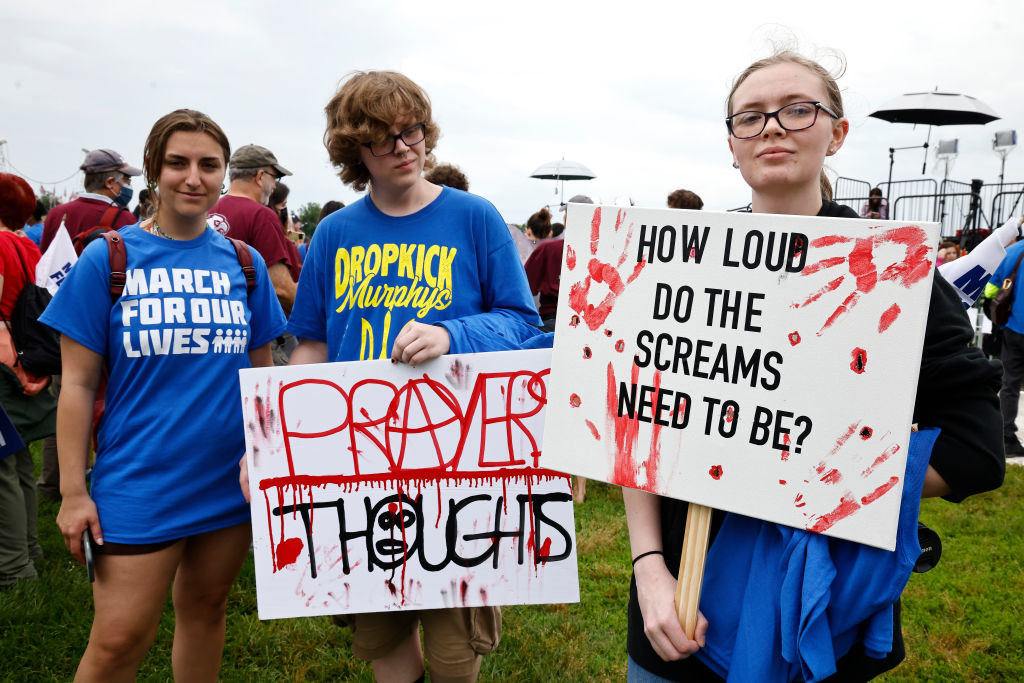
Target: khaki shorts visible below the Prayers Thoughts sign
{"type": "Point", "coordinates": [455, 639]}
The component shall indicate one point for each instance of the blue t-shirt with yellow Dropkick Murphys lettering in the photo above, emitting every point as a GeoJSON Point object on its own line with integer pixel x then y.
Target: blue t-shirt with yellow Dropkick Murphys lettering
{"type": "Point", "coordinates": [452, 264]}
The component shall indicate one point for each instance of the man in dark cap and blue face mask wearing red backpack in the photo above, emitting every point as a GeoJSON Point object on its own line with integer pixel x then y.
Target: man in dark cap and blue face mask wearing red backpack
{"type": "Point", "coordinates": [108, 183]}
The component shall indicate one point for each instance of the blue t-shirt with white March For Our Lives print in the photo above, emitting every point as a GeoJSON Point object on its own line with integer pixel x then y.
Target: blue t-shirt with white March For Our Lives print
{"type": "Point", "coordinates": [172, 437]}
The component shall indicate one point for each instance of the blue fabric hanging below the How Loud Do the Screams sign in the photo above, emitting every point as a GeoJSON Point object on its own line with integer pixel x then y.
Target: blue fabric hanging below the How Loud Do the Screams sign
{"type": "Point", "coordinates": [785, 605]}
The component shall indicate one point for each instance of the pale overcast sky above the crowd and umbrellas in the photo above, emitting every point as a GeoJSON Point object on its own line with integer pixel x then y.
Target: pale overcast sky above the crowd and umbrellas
{"type": "Point", "coordinates": [633, 91]}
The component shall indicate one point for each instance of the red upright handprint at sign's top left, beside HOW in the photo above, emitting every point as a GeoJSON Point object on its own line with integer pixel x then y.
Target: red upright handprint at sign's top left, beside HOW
{"type": "Point", "coordinates": [601, 272]}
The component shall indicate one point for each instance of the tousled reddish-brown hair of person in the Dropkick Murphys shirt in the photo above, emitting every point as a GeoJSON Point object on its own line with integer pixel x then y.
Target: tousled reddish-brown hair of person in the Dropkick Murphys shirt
{"type": "Point", "coordinates": [364, 110]}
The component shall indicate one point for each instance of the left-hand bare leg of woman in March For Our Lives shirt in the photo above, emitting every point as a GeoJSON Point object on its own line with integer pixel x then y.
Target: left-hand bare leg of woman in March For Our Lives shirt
{"type": "Point", "coordinates": [130, 596]}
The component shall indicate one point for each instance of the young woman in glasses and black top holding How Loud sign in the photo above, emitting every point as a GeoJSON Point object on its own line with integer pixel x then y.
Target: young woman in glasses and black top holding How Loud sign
{"type": "Point", "coordinates": [785, 117]}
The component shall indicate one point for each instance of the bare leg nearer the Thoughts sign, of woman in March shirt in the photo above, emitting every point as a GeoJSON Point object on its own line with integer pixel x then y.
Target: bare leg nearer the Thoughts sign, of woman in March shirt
{"type": "Point", "coordinates": [209, 567]}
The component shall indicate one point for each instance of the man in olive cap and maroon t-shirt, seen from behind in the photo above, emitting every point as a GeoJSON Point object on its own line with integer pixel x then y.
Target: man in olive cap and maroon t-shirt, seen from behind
{"type": "Point", "coordinates": [243, 215]}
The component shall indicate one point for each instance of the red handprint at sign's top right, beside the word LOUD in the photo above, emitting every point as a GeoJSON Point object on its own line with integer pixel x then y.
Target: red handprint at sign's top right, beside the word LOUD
{"type": "Point", "coordinates": [911, 269]}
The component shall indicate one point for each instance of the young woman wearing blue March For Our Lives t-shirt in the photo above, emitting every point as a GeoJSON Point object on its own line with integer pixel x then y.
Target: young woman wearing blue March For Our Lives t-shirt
{"type": "Point", "coordinates": [164, 505]}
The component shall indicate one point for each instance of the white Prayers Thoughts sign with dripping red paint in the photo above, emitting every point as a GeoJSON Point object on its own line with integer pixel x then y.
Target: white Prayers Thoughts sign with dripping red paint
{"type": "Point", "coordinates": [379, 487]}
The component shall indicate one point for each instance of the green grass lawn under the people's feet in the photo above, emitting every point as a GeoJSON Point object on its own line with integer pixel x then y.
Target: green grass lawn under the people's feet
{"type": "Point", "coordinates": [962, 620]}
